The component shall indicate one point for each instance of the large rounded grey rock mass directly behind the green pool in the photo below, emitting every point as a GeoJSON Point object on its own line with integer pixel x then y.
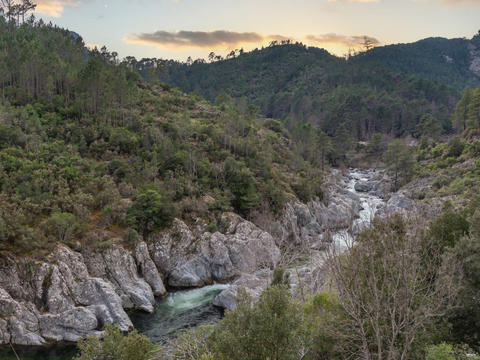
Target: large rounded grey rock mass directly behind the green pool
{"type": "Point", "coordinates": [192, 258]}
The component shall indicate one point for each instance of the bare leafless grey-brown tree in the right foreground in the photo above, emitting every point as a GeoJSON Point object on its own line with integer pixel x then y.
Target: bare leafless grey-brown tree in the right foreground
{"type": "Point", "coordinates": [391, 284]}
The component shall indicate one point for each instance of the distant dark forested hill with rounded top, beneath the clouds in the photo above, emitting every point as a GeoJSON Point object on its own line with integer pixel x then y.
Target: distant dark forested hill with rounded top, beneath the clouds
{"type": "Point", "coordinates": [300, 84]}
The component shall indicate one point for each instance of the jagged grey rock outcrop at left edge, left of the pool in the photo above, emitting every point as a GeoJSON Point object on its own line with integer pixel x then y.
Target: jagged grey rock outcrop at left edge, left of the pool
{"type": "Point", "coordinates": [54, 301]}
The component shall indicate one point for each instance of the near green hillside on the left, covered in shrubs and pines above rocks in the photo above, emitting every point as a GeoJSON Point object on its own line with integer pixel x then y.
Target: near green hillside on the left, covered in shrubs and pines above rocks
{"type": "Point", "coordinates": [85, 144]}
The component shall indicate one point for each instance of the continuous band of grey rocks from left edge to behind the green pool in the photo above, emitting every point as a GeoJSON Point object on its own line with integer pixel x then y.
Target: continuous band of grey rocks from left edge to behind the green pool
{"type": "Point", "coordinates": [71, 295]}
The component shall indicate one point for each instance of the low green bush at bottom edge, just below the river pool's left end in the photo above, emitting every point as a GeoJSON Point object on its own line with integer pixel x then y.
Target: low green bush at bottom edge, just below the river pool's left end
{"type": "Point", "coordinates": [114, 345]}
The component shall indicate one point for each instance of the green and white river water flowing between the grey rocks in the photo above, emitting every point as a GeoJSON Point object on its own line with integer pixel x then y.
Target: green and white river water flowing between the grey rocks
{"type": "Point", "coordinates": [187, 309]}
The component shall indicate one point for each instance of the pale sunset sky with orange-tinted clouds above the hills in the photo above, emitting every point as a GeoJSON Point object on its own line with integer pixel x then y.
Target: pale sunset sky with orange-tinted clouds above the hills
{"type": "Point", "coordinates": [176, 29]}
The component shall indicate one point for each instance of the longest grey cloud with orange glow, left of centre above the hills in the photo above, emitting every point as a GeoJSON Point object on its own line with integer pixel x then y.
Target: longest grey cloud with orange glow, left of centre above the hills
{"type": "Point", "coordinates": [199, 39]}
